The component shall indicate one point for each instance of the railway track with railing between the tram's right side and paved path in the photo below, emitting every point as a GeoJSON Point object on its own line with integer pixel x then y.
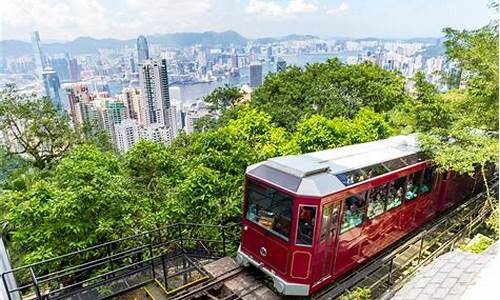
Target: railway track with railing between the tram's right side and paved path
{"type": "Point", "coordinates": [390, 270]}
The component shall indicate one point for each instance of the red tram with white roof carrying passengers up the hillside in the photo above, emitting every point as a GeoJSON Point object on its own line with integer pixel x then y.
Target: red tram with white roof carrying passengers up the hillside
{"type": "Point", "coordinates": [310, 218]}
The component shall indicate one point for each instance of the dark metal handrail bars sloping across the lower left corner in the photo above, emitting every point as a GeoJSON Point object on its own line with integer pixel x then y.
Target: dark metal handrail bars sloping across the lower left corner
{"type": "Point", "coordinates": [178, 241]}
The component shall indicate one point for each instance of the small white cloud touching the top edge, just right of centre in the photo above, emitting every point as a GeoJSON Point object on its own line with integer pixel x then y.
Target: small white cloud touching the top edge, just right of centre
{"type": "Point", "coordinates": [271, 9]}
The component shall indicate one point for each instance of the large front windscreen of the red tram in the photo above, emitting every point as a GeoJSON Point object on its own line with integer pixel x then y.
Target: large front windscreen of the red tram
{"type": "Point", "coordinates": [269, 208]}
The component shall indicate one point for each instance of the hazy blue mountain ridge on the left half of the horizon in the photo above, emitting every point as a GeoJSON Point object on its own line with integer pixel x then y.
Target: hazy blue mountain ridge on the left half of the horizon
{"type": "Point", "coordinates": [84, 45]}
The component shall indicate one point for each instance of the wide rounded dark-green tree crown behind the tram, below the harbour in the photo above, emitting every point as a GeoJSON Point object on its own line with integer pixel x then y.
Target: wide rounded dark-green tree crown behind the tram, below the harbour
{"type": "Point", "coordinates": [331, 89]}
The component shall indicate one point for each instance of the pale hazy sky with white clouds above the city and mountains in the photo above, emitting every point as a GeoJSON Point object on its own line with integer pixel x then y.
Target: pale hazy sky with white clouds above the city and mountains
{"type": "Point", "coordinates": [68, 19]}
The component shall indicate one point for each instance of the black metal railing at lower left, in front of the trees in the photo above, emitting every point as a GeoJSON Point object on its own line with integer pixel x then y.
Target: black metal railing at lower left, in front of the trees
{"type": "Point", "coordinates": [106, 270]}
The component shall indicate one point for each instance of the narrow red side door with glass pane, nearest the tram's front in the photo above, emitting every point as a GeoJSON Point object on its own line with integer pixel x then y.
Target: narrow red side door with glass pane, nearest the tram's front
{"type": "Point", "coordinates": [325, 254]}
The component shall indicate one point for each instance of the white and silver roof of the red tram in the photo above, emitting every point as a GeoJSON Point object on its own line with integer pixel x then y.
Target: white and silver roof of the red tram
{"type": "Point", "coordinates": [325, 172]}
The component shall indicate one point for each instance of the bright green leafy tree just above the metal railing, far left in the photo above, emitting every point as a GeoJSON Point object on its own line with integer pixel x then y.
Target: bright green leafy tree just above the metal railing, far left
{"type": "Point", "coordinates": [86, 201]}
